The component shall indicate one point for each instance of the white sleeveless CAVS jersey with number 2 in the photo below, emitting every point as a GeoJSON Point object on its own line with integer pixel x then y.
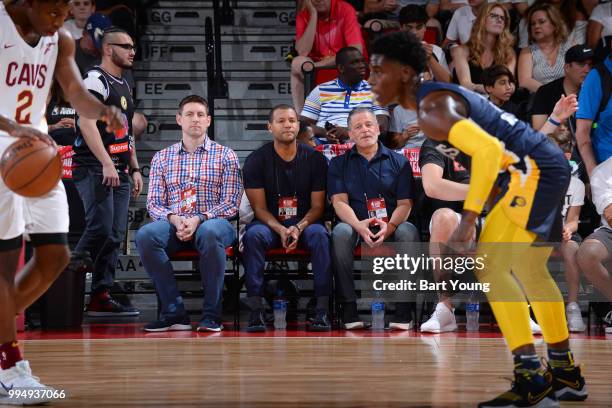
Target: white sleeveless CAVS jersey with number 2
{"type": "Point", "coordinates": [26, 74]}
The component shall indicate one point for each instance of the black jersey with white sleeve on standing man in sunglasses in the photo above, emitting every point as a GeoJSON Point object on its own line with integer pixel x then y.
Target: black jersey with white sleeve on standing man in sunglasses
{"type": "Point", "coordinates": [110, 91]}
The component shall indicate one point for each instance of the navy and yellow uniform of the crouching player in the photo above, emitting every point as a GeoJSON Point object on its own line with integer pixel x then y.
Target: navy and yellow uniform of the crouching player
{"type": "Point", "coordinates": [534, 173]}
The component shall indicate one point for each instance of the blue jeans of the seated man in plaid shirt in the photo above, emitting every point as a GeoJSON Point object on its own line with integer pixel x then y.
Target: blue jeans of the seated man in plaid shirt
{"type": "Point", "coordinates": [157, 242]}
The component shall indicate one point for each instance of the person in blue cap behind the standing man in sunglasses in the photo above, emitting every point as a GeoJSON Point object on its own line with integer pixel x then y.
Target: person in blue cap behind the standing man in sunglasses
{"type": "Point", "coordinates": [88, 53]}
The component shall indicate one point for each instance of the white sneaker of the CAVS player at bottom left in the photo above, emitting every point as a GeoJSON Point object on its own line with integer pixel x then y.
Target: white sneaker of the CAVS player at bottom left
{"type": "Point", "coordinates": [17, 381]}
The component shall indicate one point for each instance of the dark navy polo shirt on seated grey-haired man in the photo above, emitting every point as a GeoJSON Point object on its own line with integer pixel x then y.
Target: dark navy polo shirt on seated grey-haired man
{"type": "Point", "coordinates": [387, 175]}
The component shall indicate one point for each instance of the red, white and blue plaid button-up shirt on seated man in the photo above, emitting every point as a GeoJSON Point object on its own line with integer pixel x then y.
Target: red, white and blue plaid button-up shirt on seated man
{"type": "Point", "coordinates": [212, 169]}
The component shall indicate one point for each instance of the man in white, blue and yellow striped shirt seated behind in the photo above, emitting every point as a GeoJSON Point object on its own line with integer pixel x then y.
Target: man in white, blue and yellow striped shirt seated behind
{"type": "Point", "coordinates": [327, 107]}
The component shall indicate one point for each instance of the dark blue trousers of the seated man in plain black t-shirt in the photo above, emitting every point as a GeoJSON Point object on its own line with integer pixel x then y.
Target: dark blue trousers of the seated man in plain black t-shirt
{"type": "Point", "coordinates": [260, 238]}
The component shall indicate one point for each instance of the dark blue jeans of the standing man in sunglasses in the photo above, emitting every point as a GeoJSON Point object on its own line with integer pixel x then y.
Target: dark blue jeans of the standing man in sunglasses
{"type": "Point", "coordinates": [106, 213]}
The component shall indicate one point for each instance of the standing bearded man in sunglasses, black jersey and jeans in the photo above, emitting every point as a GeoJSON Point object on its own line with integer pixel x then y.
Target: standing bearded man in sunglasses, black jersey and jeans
{"type": "Point", "coordinates": [102, 160]}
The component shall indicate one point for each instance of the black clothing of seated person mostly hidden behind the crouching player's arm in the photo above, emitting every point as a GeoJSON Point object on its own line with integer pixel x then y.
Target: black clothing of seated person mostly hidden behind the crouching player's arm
{"type": "Point", "coordinates": [451, 170]}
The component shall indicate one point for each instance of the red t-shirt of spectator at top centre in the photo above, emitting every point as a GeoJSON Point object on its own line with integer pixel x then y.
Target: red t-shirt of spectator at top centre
{"type": "Point", "coordinates": [340, 30]}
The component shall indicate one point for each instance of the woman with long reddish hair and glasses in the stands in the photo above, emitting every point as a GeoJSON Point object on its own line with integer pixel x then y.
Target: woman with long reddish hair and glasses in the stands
{"type": "Point", "coordinates": [490, 44]}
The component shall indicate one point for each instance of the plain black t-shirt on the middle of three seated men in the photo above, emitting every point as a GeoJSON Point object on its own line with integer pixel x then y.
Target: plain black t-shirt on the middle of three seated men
{"type": "Point", "coordinates": [306, 173]}
